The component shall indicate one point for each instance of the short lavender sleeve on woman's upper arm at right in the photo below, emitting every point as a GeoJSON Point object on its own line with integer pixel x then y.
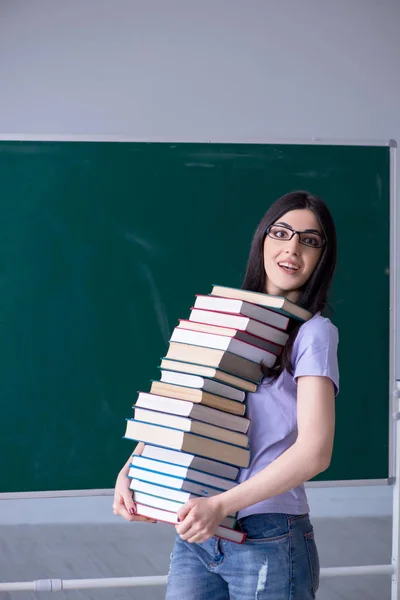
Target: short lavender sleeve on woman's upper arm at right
{"type": "Point", "coordinates": [315, 351]}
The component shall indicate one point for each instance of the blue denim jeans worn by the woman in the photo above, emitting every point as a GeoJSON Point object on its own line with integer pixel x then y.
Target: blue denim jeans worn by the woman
{"type": "Point", "coordinates": [278, 561]}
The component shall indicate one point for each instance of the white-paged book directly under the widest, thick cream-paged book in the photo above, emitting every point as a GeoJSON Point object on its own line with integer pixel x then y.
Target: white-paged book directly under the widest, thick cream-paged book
{"type": "Point", "coordinates": [191, 461]}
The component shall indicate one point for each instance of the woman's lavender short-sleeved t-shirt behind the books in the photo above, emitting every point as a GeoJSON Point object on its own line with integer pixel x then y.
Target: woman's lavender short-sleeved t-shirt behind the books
{"type": "Point", "coordinates": [273, 410]}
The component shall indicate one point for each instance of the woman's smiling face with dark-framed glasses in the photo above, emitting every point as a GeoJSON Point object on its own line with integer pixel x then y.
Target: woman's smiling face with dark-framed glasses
{"type": "Point", "coordinates": [289, 264]}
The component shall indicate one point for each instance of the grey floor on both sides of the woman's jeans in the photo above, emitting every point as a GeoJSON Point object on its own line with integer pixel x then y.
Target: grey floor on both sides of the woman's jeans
{"type": "Point", "coordinates": [31, 552]}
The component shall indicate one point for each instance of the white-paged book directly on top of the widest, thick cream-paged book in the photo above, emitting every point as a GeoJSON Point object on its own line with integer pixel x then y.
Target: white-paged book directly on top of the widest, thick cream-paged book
{"type": "Point", "coordinates": [187, 424]}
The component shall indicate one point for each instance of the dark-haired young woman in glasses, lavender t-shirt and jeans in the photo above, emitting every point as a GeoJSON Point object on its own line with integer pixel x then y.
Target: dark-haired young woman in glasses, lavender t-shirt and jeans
{"type": "Point", "coordinates": [293, 254]}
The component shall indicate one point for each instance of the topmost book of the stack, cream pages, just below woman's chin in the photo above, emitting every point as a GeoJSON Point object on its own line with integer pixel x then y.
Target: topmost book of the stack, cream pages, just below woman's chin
{"type": "Point", "coordinates": [279, 303]}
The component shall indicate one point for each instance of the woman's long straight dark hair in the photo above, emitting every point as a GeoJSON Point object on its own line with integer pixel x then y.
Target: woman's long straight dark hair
{"type": "Point", "coordinates": [314, 293]}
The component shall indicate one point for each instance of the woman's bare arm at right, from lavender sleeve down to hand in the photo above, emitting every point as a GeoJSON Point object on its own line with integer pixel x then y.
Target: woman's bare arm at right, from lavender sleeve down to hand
{"type": "Point", "coordinates": [309, 455]}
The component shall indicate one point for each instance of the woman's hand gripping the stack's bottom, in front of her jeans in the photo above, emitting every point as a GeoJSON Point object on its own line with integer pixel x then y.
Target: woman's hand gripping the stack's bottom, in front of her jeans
{"type": "Point", "coordinates": [199, 519]}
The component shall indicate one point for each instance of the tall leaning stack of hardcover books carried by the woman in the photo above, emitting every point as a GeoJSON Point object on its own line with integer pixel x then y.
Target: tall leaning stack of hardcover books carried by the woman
{"type": "Point", "coordinates": [193, 420]}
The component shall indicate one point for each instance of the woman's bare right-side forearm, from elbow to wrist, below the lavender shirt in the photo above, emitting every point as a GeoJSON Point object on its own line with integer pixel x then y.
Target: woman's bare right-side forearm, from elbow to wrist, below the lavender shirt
{"type": "Point", "coordinates": [295, 466]}
